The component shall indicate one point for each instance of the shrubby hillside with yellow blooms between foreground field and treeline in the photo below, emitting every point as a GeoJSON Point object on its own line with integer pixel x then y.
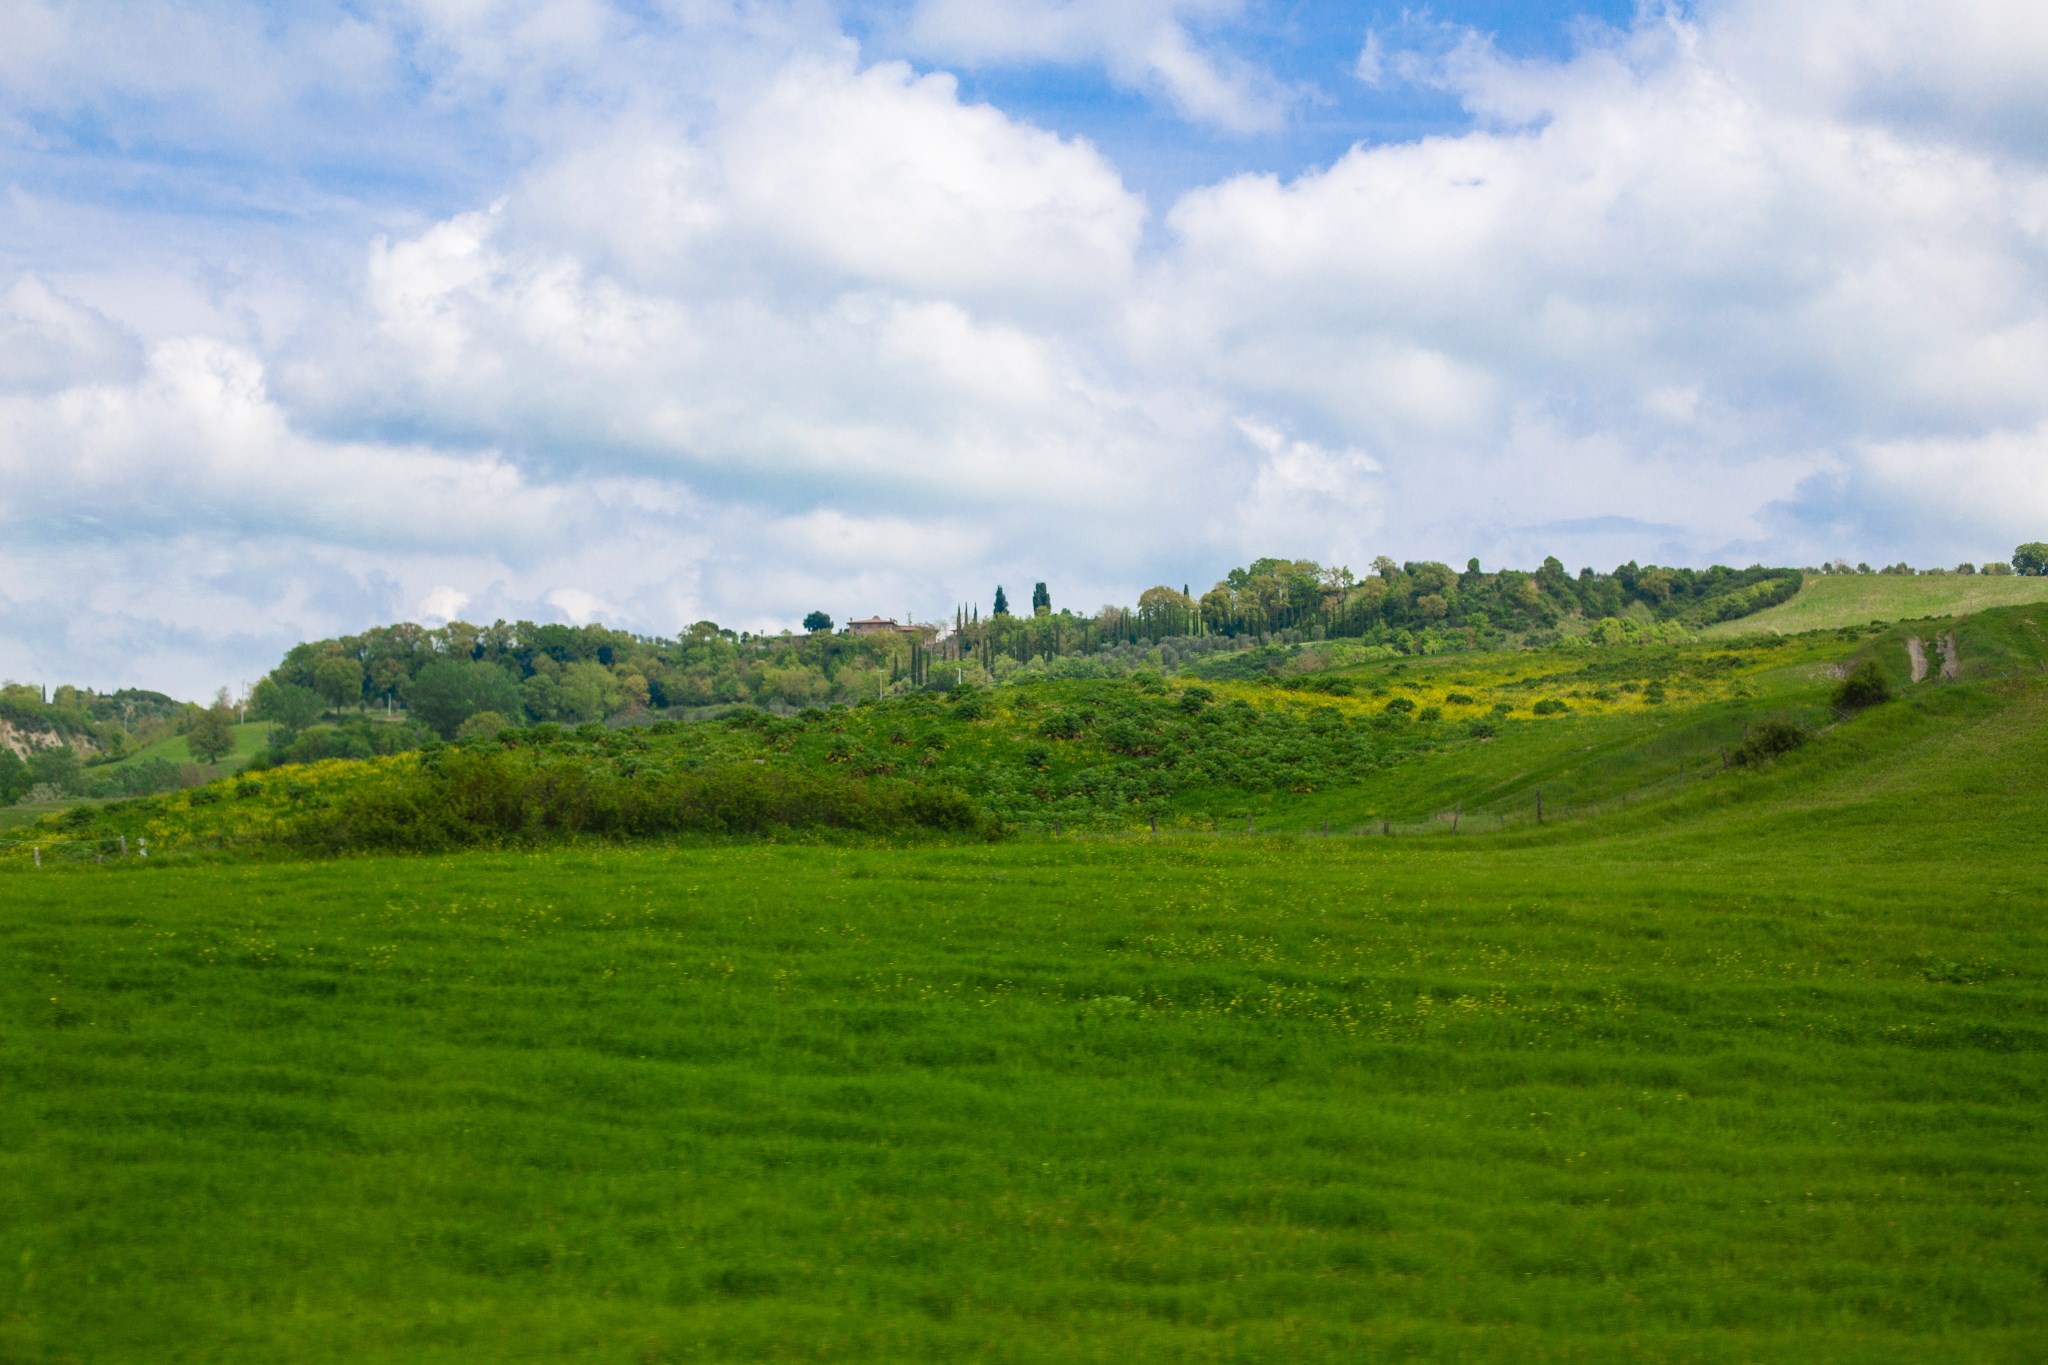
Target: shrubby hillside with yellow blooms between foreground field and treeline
{"type": "Point", "coordinates": [1459, 744]}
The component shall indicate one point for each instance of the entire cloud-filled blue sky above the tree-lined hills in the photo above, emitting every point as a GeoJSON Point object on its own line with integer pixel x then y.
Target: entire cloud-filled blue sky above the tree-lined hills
{"type": "Point", "coordinates": [658, 310]}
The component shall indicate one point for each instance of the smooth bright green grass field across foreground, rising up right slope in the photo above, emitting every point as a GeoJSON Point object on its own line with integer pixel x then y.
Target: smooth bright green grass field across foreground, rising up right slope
{"type": "Point", "coordinates": [1752, 1067]}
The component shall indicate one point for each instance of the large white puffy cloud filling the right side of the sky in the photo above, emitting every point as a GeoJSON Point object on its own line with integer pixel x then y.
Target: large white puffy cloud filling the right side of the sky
{"type": "Point", "coordinates": [1644, 240]}
